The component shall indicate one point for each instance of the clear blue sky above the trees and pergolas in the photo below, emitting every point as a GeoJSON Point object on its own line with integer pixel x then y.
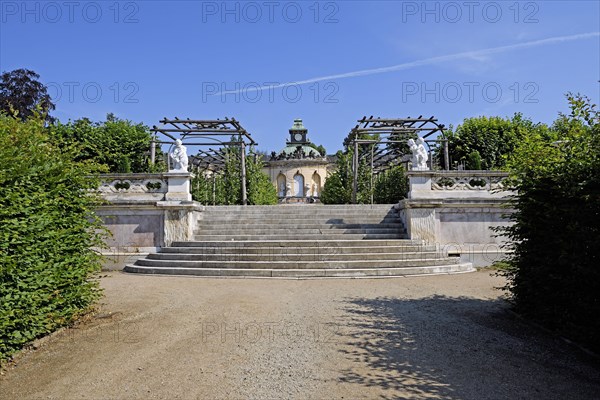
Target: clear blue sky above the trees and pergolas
{"type": "Point", "coordinates": [145, 60]}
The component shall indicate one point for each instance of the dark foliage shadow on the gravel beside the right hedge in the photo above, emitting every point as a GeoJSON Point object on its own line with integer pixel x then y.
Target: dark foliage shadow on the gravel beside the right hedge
{"type": "Point", "coordinates": [458, 348]}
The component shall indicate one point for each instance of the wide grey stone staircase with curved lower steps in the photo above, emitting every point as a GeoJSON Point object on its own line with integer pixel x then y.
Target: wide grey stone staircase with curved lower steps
{"type": "Point", "coordinates": [299, 241]}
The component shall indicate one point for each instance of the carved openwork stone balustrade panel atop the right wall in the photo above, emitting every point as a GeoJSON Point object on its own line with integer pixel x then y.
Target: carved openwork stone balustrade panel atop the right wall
{"type": "Point", "coordinates": [468, 180]}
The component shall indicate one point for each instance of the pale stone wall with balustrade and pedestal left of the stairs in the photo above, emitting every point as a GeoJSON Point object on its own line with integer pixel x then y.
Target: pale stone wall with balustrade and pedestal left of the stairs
{"type": "Point", "coordinates": [145, 212]}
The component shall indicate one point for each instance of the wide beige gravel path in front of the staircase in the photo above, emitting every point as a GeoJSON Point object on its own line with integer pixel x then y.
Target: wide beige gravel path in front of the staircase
{"type": "Point", "coordinates": [444, 337]}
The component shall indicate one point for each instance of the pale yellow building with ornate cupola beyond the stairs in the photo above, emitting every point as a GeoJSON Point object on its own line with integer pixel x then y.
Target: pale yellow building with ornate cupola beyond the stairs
{"type": "Point", "coordinates": [299, 170]}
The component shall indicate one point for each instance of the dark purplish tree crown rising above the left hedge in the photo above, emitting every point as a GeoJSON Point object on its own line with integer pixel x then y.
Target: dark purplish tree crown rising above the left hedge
{"type": "Point", "coordinates": [21, 92]}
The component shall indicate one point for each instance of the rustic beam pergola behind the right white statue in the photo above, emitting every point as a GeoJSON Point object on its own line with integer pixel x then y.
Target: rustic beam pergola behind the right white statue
{"type": "Point", "coordinates": [391, 132]}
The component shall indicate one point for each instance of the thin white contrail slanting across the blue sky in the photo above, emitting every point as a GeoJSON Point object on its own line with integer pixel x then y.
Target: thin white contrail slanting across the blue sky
{"type": "Point", "coordinates": [425, 61]}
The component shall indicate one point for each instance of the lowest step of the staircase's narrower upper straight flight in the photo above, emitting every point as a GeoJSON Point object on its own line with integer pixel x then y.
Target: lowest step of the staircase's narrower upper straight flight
{"type": "Point", "coordinates": [324, 236]}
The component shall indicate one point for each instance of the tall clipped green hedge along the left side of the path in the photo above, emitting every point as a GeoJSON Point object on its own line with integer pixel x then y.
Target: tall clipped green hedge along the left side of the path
{"type": "Point", "coordinates": [47, 231]}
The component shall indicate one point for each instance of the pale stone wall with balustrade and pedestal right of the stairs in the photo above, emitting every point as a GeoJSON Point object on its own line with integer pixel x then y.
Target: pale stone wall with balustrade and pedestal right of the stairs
{"type": "Point", "coordinates": [457, 210]}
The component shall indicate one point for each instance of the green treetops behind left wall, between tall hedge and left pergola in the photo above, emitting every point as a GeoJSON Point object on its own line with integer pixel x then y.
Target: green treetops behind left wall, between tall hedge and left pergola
{"type": "Point", "coordinates": [119, 144]}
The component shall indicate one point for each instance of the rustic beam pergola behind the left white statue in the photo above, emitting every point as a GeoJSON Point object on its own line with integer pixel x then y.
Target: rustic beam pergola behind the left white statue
{"type": "Point", "coordinates": [205, 133]}
